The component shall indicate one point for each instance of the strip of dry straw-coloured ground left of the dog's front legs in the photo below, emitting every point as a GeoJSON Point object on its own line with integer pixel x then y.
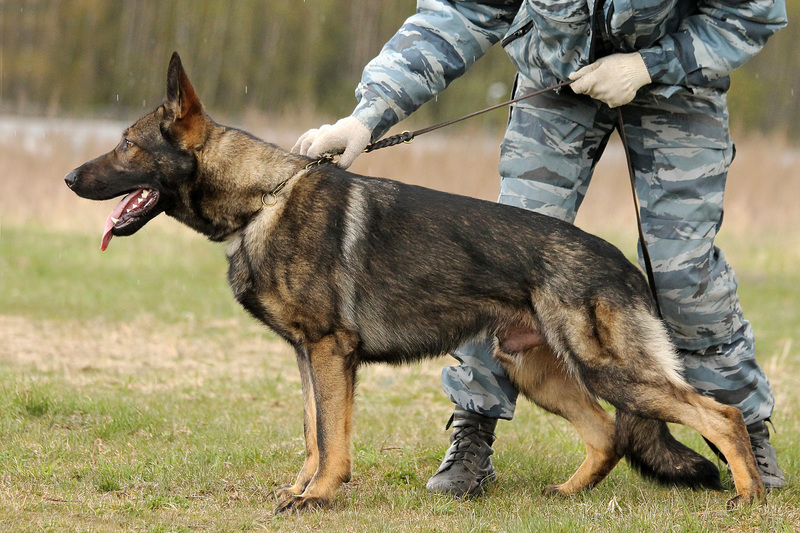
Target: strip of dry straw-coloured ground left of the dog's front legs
{"type": "Point", "coordinates": [79, 351]}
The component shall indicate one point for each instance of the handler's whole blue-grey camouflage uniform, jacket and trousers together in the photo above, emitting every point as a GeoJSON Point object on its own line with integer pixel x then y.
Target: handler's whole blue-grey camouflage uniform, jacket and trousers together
{"type": "Point", "coordinates": [677, 128]}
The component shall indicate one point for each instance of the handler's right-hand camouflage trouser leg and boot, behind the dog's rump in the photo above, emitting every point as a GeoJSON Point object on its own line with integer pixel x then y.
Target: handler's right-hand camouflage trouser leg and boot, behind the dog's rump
{"type": "Point", "coordinates": [681, 152]}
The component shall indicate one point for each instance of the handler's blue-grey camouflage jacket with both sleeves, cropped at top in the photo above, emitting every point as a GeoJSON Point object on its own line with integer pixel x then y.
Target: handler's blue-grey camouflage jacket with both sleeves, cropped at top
{"type": "Point", "coordinates": [690, 43]}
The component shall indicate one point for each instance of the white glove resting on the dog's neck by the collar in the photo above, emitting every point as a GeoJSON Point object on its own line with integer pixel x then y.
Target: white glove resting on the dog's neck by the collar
{"type": "Point", "coordinates": [348, 136]}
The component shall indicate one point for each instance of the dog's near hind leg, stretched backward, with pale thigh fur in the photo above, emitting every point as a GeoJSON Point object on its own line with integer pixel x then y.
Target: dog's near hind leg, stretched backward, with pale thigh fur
{"type": "Point", "coordinates": [627, 359]}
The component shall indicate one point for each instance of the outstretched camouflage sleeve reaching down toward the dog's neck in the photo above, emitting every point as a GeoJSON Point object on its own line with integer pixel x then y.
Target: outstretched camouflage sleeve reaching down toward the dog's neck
{"type": "Point", "coordinates": [432, 48]}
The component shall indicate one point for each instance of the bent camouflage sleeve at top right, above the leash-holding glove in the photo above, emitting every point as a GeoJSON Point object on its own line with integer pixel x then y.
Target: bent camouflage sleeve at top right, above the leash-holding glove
{"type": "Point", "coordinates": [709, 45]}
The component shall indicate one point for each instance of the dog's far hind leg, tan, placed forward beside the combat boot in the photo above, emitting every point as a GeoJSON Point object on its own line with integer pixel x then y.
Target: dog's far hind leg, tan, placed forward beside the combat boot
{"type": "Point", "coordinates": [542, 377]}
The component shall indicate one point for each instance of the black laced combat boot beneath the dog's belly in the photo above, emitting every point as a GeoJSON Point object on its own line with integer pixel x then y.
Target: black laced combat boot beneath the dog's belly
{"type": "Point", "coordinates": [467, 465]}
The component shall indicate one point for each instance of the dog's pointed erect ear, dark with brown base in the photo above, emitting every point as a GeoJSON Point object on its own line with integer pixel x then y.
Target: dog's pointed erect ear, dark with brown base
{"type": "Point", "coordinates": [183, 105]}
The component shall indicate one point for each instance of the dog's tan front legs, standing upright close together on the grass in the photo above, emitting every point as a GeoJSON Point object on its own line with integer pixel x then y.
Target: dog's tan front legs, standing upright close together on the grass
{"type": "Point", "coordinates": [331, 372]}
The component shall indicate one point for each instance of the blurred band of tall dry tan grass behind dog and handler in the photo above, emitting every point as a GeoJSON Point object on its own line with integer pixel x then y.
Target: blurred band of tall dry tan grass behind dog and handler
{"type": "Point", "coordinates": [763, 185]}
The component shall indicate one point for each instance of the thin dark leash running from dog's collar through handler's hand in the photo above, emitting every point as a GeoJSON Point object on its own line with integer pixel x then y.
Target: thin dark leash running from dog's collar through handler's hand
{"type": "Point", "coordinates": [408, 136]}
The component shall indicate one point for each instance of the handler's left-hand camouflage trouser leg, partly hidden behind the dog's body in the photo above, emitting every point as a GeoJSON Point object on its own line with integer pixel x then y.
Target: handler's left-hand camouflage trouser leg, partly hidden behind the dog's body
{"type": "Point", "coordinates": [552, 144]}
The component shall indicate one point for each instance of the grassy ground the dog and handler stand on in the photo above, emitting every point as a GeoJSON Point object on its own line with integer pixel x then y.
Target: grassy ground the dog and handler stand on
{"type": "Point", "coordinates": [190, 426]}
